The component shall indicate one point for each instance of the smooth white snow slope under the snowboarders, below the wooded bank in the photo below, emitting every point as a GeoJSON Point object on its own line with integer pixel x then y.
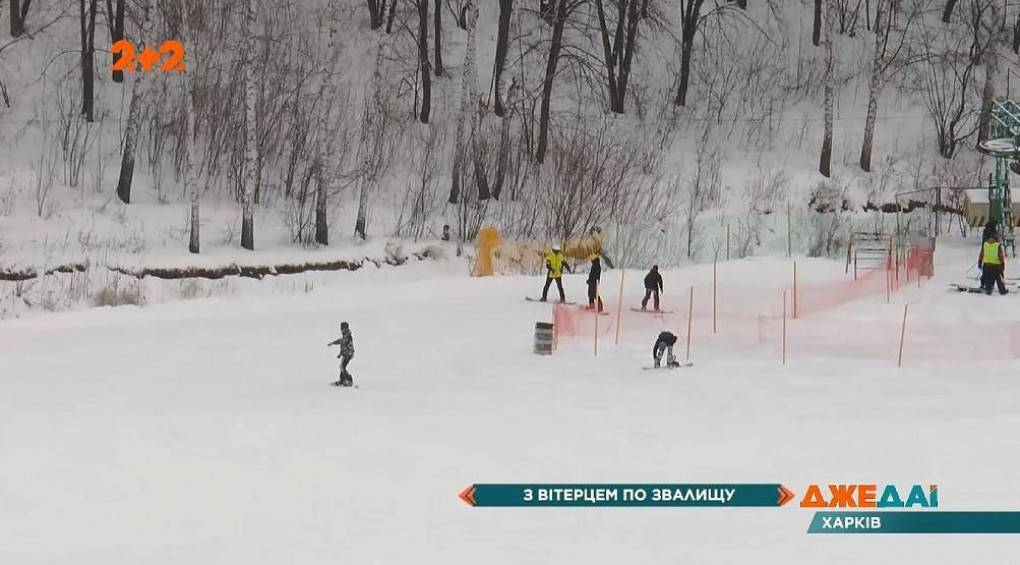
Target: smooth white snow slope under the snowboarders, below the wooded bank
{"type": "Point", "coordinates": [205, 432]}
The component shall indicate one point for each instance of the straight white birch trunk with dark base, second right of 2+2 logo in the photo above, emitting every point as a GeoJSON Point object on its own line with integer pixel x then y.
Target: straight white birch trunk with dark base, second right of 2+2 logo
{"type": "Point", "coordinates": [251, 132]}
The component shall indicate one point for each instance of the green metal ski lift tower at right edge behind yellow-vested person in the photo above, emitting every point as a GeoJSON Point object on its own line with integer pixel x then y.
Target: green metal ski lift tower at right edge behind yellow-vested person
{"type": "Point", "coordinates": [1004, 145]}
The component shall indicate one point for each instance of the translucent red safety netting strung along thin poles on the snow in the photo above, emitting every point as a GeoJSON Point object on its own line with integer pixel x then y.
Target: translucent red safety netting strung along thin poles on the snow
{"type": "Point", "coordinates": [815, 320]}
